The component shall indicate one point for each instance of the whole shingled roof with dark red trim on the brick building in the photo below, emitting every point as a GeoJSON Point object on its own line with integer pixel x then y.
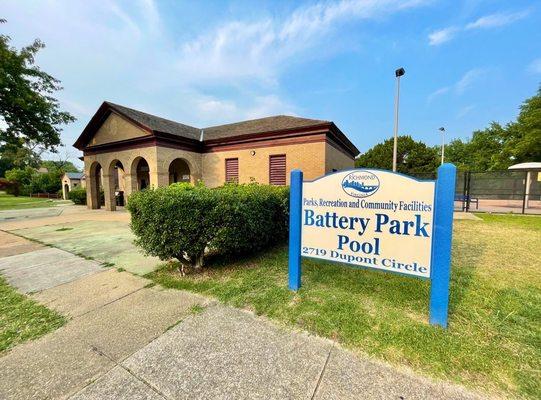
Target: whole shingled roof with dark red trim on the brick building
{"type": "Point", "coordinates": [255, 128]}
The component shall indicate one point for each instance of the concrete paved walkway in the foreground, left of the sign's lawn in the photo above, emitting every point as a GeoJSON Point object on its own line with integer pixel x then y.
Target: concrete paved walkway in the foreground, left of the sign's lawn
{"type": "Point", "coordinates": [127, 339]}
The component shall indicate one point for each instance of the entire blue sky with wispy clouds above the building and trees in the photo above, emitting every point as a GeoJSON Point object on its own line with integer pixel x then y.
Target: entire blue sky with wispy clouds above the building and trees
{"type": "Point", "coordinates": [211, 62]}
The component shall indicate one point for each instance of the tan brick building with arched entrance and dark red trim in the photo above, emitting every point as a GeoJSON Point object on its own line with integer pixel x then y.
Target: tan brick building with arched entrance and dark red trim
{"type": "Point", "coordinates": [127, 150]}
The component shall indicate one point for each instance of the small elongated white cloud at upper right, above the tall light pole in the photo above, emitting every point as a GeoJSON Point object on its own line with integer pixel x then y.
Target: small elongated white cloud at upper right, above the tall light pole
{"type": "Point", "coordinates": [444, 35]}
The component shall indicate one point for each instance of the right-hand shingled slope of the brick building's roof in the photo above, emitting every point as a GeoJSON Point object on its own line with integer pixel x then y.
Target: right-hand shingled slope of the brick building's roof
{"type": "Point", "coordinates": [260, 125]}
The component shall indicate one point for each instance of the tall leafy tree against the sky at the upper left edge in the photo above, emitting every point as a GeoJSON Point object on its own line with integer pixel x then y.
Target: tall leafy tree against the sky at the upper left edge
{"type": "Point", "coordinates": [31, 114]}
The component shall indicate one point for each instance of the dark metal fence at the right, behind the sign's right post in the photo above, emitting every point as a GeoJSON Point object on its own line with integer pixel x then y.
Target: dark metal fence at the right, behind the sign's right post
{"type": "Point", "coordinates": [496, 191]}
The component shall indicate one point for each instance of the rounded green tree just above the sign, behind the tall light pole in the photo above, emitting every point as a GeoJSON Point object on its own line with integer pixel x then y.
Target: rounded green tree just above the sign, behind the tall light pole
{"type": "Point", "coordinates": [412, 157]}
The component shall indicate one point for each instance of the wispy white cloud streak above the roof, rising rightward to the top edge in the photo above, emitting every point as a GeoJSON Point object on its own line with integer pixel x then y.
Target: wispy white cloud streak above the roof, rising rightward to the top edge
{"type": "Point", "coordinates": [260, 49]}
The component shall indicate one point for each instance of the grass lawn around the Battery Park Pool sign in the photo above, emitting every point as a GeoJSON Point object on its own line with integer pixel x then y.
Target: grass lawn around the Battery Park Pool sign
{"type": "Point", "coordinates": [494, 338]}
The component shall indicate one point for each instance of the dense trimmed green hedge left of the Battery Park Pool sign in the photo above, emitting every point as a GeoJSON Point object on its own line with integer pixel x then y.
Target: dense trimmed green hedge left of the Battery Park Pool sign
{"type": "Point", "coordinates": [184, 222]}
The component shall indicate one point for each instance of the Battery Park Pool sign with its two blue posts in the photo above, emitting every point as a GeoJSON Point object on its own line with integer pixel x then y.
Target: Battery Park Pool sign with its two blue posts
{"type": "Point", "coordinates": [376, 219]}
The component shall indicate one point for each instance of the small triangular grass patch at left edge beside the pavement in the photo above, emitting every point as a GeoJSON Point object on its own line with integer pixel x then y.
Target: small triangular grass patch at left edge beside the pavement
{"type": "Point", "coordinates": [22, 319]}
